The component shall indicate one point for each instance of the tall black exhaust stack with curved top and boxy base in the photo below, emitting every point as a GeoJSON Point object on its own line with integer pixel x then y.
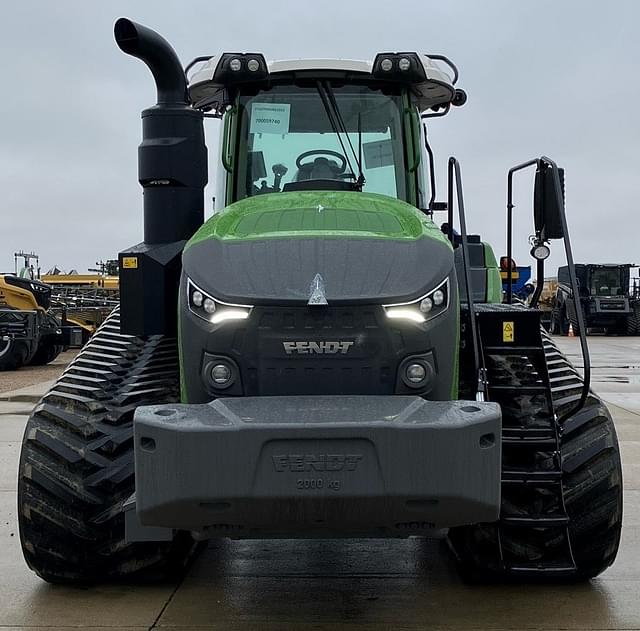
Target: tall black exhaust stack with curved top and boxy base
{"type": "Point", "coordinates": [172, 169]}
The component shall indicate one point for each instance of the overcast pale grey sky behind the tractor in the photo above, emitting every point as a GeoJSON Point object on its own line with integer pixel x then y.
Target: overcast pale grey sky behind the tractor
{"type": "Point", "coordinates": [550, 77]}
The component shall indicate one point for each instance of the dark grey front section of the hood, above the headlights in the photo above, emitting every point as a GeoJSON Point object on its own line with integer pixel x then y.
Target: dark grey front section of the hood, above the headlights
{"type": "Point", "coordinates": [282, 270]}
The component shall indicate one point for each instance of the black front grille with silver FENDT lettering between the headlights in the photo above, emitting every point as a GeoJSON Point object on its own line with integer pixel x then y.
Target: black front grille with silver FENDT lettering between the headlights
{"type": "Point", "coordinates": [324, 350]}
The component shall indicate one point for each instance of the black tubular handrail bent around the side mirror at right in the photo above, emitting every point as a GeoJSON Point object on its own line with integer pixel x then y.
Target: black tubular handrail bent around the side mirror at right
{"type": "Point", "coordinates": [544, 162]}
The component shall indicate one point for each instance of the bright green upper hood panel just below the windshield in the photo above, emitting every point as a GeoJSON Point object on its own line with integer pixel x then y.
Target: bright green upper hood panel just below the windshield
{"type": "Point", "coordinates": [318, 214]}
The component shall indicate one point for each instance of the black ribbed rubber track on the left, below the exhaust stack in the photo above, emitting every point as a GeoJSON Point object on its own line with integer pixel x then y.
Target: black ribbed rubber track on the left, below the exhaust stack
{"type": "Point", "coordinates": [76, 466]}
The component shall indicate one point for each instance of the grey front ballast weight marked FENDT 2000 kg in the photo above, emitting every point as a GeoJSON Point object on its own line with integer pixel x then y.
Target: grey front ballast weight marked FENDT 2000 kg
{"type": "Point", "coordinates": [316, 466]}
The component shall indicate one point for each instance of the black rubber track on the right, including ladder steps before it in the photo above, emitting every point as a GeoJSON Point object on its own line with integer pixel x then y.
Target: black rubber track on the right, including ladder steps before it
{"type": "Point", "coordinates": [561, 509]}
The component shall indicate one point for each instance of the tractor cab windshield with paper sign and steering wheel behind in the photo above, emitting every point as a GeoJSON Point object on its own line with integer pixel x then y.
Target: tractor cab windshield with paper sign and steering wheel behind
{"type": "Point", "coordinates": [318, 137]}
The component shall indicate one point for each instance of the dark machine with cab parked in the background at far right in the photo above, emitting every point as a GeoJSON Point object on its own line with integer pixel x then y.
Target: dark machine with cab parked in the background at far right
{"type": "Point", "coordinates": [608, 296]}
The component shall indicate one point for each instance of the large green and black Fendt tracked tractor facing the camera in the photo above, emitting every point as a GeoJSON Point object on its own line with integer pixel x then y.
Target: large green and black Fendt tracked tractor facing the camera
{"type": "Point", "coordinates": [319, 358]}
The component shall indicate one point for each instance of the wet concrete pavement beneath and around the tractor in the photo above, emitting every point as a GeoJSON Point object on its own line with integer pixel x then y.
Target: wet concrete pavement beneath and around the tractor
{"type": "Point", "coordinates": [359, 584]}
